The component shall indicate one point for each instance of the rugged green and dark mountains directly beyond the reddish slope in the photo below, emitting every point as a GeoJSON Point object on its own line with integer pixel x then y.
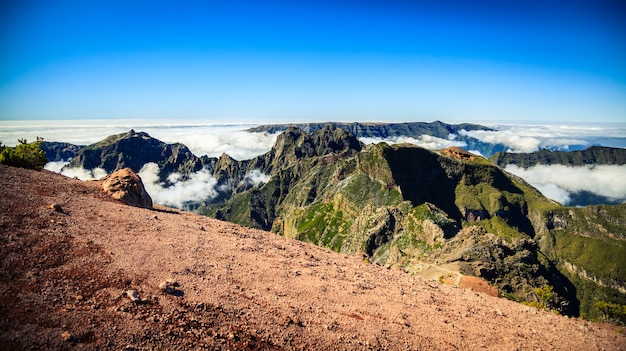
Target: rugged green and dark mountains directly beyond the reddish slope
{"type": "Point", "coordinates": [439, 214]}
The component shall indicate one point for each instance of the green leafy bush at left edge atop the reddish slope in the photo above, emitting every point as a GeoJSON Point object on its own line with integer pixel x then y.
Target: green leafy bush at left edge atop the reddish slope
{"type": "Point", "coordinates": [24, 155]}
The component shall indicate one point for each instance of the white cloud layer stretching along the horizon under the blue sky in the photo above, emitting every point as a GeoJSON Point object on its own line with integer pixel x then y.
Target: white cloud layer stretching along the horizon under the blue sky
{"type": "Point", "coordinates": [213, 140]}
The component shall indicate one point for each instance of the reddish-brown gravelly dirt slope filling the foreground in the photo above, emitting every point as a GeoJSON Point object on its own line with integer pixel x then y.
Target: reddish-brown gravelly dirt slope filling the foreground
{"type": "Point", "coordinates": [69, 276]}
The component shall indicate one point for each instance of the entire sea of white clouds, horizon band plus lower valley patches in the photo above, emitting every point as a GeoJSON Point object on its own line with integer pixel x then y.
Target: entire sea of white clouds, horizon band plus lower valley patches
{"type": "Point", "coordinates": [555, 181]}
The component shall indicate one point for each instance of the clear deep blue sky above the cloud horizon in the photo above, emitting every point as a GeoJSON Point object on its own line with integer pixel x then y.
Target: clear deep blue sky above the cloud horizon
{"type": "Point", "coordinates": [279, 61]}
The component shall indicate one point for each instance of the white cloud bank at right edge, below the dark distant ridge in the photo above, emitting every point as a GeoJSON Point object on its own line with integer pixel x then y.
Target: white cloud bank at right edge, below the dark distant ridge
{"type": "Point", "coordinates": [558, 181]}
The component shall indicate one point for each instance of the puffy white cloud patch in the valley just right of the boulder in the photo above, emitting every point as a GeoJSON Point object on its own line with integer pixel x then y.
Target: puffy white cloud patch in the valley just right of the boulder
{"type": "Point", "coordinates": [200, 186]}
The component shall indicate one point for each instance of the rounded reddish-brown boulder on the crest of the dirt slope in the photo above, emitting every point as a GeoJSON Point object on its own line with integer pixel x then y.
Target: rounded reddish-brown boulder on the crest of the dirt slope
{"type": "Point", "coordinates": [125, 185]}
